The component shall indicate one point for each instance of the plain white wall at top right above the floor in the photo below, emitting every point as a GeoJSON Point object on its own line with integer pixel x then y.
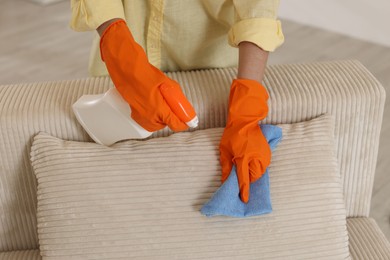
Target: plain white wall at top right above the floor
{"type": "Point", "coordinates": [363, 19]}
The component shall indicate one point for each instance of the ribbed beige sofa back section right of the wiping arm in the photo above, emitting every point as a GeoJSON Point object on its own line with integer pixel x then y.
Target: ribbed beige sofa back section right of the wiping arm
{"type": "Point", "coordinates": [348, 91]}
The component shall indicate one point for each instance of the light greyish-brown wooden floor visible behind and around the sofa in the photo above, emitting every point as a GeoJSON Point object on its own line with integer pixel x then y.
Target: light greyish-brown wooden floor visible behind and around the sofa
{"type": "Point", "coordinates": [36, 44]}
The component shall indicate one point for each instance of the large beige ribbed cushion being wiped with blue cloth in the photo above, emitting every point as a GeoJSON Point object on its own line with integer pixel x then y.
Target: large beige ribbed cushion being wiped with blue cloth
{"type": "Point", "coordinates": [143, 199]}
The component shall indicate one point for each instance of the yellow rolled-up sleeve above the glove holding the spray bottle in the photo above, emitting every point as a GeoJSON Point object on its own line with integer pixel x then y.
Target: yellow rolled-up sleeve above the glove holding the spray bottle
{"type": "Point", "coordinates": [88, 15]}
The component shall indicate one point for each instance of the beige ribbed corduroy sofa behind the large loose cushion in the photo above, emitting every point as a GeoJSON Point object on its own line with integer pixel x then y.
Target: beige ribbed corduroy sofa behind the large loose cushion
{"type": "Point", "coordinates": [298, 92]}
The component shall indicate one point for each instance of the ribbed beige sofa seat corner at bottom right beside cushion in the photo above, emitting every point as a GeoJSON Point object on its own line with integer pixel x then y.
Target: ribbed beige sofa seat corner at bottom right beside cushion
{"type": "Point", "coordinates": [366, 240]}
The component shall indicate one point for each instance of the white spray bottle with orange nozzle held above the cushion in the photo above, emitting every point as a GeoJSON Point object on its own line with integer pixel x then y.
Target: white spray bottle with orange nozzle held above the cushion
{"type": "Point", "coordinates": [106, 117]}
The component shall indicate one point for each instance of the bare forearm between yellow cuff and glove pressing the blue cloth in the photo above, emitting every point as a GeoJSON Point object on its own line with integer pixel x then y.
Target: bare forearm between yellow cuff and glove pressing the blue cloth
{"type": "Point", "coordinates": [252, 61]}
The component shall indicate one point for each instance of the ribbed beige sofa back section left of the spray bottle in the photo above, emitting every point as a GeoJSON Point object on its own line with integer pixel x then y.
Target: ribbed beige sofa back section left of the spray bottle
{"type": "Point", "coordinates": [26, 109]}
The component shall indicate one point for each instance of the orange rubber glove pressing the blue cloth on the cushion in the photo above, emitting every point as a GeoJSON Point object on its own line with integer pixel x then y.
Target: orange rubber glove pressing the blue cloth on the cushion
{"type": "Point", "coordinates": [243, 143]}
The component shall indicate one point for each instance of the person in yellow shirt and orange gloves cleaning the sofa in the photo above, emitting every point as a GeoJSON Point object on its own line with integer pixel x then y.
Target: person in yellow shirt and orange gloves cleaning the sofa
{"type": "Point", "coordinates": [141, 38]}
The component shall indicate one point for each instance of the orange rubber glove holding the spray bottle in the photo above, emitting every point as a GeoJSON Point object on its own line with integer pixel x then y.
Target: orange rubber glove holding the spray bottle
{"type": "Point", "coordinates": [138, 81]}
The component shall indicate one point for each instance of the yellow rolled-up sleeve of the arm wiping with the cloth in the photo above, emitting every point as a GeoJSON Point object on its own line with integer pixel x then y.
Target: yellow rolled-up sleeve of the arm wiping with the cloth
{"type": "Point", "coordinates": [255, 21]}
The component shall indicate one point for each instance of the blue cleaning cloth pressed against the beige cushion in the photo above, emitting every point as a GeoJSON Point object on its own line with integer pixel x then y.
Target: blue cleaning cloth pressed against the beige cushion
{"type": "Point", "coordinates": [226, 200]}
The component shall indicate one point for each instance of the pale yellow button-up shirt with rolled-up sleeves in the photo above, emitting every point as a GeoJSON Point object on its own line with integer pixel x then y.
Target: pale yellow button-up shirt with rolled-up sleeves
{"type": "Point", "coordinates": [184, 34]}
